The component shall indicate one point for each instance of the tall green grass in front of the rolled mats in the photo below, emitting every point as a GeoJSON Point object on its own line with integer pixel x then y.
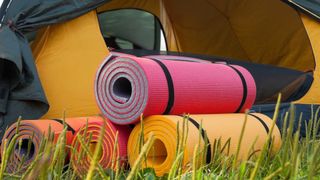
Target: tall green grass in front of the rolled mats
{"type": "Point", "coordinates": [298, 158]}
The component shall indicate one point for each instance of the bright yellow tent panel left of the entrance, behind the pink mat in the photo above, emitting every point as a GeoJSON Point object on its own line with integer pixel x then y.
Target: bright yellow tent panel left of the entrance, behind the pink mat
{"type": "Point", "coordinates": [67, 58]}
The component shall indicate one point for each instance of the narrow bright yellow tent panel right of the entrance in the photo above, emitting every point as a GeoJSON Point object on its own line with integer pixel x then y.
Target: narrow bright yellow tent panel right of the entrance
{"type": "Point", "coordinates": [313, 30]}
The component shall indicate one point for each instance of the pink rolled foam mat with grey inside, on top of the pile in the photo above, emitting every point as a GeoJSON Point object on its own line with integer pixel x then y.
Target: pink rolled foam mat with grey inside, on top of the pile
{"type": "Point", "coordinates": [128, 86]}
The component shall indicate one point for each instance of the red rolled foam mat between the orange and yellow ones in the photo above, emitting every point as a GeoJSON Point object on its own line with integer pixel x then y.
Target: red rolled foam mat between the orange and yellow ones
{"type": "Point", "coordinates": [108, 157]}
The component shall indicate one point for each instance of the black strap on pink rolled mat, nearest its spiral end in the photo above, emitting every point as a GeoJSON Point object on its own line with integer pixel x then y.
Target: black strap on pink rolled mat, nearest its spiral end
{"type": "Point", "coordinates": [170, 86]}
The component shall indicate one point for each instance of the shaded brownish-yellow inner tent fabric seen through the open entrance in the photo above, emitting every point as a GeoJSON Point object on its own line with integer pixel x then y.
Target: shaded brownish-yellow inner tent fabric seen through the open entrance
{"type": "Point", "coordinates": [262, 32]}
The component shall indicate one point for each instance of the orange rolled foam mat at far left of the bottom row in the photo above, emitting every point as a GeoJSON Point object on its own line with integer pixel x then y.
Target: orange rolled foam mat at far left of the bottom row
{"type": "Point", "coordinates": [34, 131]}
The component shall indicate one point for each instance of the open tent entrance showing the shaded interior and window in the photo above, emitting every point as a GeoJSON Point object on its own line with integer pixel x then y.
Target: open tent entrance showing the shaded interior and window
{"type": "Point", "coordinates": [278, 54]}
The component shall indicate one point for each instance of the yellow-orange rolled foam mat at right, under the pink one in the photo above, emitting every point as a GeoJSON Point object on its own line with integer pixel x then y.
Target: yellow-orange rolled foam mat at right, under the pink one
{"type": "Point", "coordinates": [216, 127]}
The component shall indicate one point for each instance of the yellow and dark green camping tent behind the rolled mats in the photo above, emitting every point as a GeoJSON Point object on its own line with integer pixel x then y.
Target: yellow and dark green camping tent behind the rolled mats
{"type": "Point", "coordinates": [272, 38]}
